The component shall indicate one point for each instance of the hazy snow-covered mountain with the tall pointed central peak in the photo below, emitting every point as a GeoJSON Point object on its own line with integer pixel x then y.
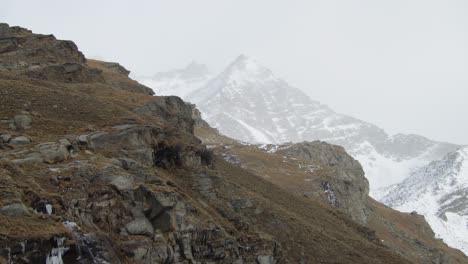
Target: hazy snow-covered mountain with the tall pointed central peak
{"type": "Point", "coordinates": [249, 103]}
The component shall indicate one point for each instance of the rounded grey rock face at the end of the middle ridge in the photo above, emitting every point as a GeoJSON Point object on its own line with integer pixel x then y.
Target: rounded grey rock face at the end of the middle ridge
{"type": "Point", "coordinates": [345, 186]}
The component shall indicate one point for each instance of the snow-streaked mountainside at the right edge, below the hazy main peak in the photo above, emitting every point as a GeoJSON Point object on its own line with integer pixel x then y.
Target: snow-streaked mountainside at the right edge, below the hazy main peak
{"type": "Point", "coordinates": [439, 191]}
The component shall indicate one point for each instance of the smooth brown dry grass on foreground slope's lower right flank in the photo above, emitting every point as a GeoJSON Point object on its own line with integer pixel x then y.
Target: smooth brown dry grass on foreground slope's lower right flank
{"type": "Point", "coordinates": [306, 228]}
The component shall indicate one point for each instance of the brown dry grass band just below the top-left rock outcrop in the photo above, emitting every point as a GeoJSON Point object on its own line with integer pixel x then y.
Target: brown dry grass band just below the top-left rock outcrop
{"type": "Point", "coordinates": [66, 108]}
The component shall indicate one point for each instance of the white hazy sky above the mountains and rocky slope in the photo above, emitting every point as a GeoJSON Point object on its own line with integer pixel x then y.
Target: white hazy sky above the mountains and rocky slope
{"type": "Point", "coordinates": [401, 64]}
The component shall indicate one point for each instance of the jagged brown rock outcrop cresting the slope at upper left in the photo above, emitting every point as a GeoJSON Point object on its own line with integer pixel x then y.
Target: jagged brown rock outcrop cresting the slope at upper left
{"type": "Point", "coordinates": [46, 58]}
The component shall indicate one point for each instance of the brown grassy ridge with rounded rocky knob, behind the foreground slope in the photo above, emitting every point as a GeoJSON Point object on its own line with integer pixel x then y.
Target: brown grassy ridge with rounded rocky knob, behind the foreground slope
{"type": "Point", "coordinates": [318, 171]}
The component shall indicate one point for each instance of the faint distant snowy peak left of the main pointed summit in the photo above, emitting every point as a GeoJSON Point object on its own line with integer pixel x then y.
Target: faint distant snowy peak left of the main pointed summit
{"type": "Point", "coordinates": [178, 82]}
